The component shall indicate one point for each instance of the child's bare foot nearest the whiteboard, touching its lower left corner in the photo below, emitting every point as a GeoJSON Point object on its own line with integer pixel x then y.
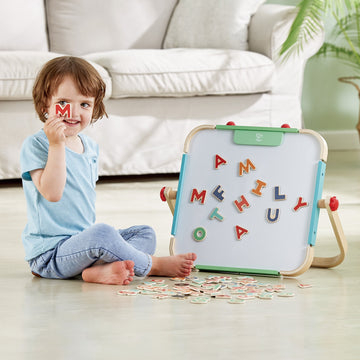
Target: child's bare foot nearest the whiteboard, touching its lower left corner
{"type": "Point", "coordinates": [178, 265]}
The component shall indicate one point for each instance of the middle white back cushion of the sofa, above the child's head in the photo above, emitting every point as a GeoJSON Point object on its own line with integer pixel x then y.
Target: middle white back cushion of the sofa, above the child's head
{"type": "Point", "coordinates": [80, 27]}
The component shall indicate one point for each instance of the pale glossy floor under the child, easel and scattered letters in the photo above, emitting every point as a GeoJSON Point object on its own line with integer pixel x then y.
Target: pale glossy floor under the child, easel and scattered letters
{"type": "Point", "coordinates": [49, 319]}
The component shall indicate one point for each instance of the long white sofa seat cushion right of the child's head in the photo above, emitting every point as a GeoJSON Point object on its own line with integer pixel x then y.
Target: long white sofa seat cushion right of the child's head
{"type": "Point", "coordinates": [185, 72]}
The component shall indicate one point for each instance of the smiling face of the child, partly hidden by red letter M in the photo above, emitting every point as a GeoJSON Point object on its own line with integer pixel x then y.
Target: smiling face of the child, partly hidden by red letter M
{"type": "Point", "coordinates": [81, 106]}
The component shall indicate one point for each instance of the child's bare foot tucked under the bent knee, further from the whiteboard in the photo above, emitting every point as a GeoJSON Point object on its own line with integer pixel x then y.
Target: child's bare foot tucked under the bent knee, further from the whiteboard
{"type": "Point", "coordinates": [116, 273]}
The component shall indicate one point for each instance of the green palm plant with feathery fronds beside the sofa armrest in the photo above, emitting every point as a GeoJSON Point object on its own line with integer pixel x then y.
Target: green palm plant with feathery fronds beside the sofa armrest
{"type": "Point", "coordinates": [308, 22]}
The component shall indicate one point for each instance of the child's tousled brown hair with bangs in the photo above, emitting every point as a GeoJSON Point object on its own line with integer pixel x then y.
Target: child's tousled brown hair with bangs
{"type": "Point", "coordinates": [85, 76]}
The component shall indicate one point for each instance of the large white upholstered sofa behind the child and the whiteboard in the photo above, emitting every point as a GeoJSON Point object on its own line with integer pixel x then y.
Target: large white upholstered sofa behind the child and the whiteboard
{"type": "Point", "coordinates": [169, 66]}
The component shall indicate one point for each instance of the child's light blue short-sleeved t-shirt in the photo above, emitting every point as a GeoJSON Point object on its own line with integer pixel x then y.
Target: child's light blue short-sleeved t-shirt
{"type": "Point", "coordinates": [50, 222]}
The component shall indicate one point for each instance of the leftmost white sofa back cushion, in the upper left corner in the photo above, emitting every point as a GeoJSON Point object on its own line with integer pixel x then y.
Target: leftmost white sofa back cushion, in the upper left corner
{"type": "Point", "coordinates": [23, 25]}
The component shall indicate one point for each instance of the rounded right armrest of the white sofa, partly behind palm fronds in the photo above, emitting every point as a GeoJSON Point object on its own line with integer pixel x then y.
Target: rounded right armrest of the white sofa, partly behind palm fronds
{"type": "Point", "coordinates": [269, 28]}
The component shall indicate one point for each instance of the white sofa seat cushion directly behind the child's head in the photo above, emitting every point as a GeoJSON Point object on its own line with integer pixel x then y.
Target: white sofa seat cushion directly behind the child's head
{"type": "Point", "coordinates": [18, 70]}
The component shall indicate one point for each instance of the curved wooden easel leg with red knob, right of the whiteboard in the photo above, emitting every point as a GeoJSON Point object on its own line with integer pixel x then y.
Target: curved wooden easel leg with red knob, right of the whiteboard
{"type": "Point", "coordinates": [331, 205]}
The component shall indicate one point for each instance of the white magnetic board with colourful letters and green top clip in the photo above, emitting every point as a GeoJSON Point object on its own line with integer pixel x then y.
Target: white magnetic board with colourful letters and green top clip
{"type": "Point", "coordinates": [264, 219]}
